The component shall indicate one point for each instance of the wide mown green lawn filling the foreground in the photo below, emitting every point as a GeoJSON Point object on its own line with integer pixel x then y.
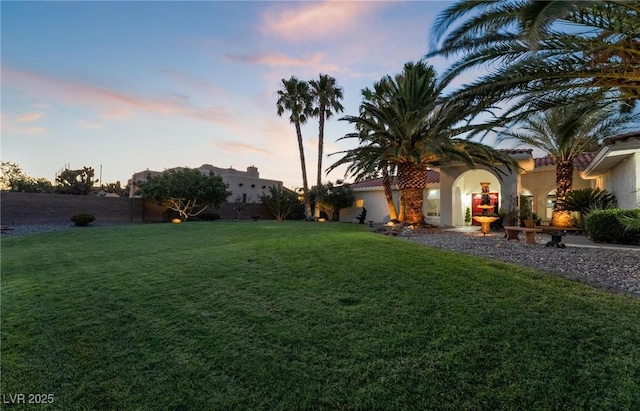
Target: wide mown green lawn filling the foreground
{"type": "Point", "coordinates": [267, 315]}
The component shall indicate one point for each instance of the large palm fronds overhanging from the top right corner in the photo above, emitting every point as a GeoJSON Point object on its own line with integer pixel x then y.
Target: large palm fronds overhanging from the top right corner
{"type": "Point", "coordinates": [540, 62]}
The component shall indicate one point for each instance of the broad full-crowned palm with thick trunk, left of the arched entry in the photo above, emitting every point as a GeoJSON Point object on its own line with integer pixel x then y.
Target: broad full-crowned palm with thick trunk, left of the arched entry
{"type": "Point", "coordinates": [406, 124]}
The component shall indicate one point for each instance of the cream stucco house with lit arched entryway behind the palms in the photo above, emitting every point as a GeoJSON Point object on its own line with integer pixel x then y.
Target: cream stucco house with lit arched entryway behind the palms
{"type": "Point", "coordinates": [451, 189]}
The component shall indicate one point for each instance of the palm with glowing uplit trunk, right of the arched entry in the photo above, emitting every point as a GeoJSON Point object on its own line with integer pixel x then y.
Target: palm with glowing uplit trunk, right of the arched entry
{"type": "Point", "coordinates": [563, 133]}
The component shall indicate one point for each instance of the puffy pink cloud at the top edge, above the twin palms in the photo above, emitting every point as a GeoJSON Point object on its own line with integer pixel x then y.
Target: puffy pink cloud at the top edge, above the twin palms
{"type": "Point", "coordinates": [316, 20]}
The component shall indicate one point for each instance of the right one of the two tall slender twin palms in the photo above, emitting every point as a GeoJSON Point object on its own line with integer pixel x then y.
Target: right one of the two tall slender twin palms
{"type": "Point", "coordinates": [326, 96]}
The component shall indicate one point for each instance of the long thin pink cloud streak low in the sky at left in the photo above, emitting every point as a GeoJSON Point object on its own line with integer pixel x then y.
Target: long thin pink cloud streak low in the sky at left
{"type": "Point", "coordinates": [109, 101]}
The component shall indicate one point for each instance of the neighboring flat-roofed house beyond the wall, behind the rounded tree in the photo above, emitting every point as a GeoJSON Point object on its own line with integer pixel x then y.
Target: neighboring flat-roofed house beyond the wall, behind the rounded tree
{"type": "Point", "coordinates": [245, 186]}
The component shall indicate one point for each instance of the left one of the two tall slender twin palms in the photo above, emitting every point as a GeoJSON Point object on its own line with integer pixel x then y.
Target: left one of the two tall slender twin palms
{"type": "Point", "coordinates": [294, 97]}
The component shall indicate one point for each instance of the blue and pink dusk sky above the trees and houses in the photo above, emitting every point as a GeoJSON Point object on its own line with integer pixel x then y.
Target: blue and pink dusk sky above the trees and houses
{"type": "Point", "coordinates": [136, 85]}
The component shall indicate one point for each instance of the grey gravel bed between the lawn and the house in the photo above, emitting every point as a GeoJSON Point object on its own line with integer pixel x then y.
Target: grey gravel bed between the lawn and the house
{"type": "Point", "coordinates": [614, 269]}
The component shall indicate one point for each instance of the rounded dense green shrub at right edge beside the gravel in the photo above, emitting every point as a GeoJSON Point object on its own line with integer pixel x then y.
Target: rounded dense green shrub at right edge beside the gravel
{"type": "Point", "coordinates": [606, 226]}
